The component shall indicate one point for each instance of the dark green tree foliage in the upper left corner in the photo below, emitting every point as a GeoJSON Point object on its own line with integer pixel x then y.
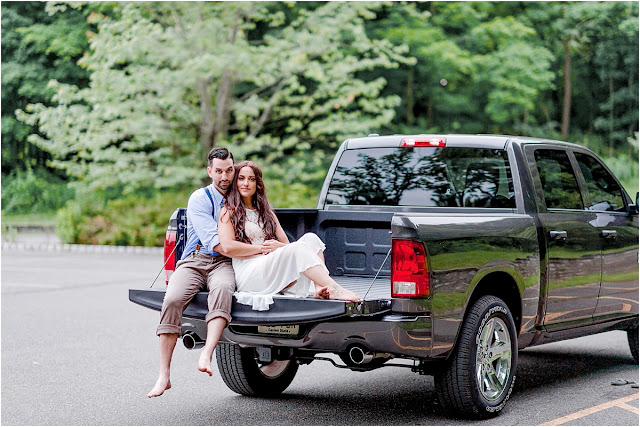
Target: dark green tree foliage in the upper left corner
{"type": "Point", "coordinates": [36, 47]}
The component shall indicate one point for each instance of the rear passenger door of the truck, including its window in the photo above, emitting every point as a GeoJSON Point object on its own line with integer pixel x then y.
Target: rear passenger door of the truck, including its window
{"type": "Point", "coordinates": [573, 244]}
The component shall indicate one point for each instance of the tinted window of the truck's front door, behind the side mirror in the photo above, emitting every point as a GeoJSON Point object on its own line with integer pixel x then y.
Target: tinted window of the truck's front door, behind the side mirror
{"type": "Point", "coordinates": [604, 191]}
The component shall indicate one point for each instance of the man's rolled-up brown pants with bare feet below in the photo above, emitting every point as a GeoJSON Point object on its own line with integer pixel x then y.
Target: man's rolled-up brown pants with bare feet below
{"type": "Point", "coordinates": [193, 273]}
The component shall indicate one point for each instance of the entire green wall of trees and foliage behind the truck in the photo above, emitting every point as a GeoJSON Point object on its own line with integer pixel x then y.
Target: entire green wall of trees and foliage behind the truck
{"type": "Point", "coordinates": [126, 98]}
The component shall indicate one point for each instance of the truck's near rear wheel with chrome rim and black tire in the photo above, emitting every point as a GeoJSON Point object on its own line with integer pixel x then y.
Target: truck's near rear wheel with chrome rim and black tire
{"type": "Point", "coordinates": [474, 383]}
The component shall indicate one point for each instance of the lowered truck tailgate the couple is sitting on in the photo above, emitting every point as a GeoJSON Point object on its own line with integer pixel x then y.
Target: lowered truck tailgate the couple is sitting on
{"type": "Point", "coordinates": [287, 310]}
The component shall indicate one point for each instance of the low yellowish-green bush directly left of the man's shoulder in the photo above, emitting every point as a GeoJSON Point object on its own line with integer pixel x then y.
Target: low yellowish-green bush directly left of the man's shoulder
{"type": "Point", "coordinates": [134, 219]}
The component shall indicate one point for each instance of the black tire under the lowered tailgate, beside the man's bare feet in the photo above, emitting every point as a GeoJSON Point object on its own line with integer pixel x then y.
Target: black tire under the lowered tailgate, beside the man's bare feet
{"type": "Point", "coordinates": [242, 373]}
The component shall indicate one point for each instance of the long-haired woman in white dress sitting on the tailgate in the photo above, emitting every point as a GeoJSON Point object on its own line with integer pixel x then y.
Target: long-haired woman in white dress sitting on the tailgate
{"type": "Point", "coordinates": [264, 261]}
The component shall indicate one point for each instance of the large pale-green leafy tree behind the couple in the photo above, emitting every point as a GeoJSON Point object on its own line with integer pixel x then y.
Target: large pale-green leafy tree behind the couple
{"type": "Point", "coordinates": [168, 81]}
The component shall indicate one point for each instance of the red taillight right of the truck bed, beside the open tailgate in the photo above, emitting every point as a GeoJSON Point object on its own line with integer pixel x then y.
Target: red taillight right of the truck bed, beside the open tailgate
{"type": "Point", "coordinates": [409, 271]}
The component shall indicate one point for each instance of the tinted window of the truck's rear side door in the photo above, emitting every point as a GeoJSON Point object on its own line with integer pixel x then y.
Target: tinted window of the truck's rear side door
{"type": "Point", "coordinates": [558, 181]}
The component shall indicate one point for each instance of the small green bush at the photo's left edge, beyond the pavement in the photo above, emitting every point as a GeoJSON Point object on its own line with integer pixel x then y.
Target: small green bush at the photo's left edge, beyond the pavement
{"type": "Point", "coordinates": [33, 191]}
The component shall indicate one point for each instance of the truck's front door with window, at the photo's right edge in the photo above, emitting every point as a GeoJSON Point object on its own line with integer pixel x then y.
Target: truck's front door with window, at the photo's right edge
{"type": "Point", "coordinates": [618, 234]}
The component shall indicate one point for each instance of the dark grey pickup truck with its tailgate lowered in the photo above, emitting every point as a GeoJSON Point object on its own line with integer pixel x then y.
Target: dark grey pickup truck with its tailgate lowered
{"type": "Point", "coordinates": [465, 248]}
